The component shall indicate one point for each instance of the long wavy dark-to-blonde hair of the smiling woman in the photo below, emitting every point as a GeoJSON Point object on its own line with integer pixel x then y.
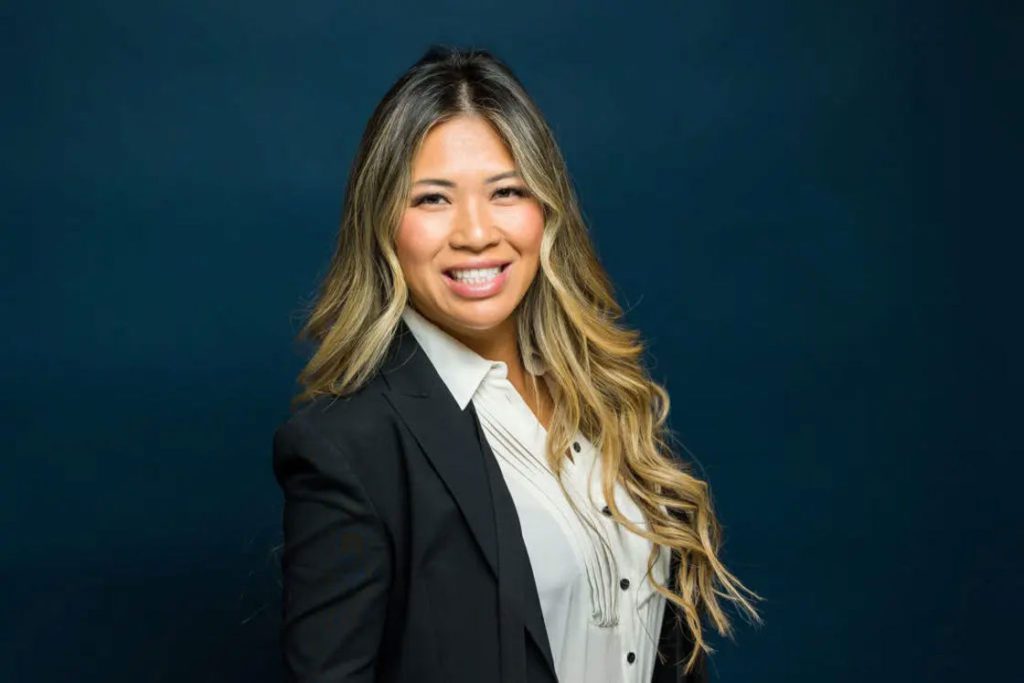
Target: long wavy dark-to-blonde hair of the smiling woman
{"type": "Point", "coordinates": [569, 316]}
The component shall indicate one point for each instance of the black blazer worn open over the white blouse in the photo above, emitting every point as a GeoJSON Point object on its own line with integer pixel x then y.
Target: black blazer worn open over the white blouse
{"type": "Point", "coordinates": [404, 558]}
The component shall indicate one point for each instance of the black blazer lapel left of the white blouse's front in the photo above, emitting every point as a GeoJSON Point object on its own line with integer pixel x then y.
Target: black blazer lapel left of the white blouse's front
{"type": "Point", "coordinates": [459, 452]}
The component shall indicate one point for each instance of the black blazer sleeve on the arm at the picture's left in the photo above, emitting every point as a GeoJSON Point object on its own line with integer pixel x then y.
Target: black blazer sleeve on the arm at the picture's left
{"type": "Point", "coordinates": [337, 563]}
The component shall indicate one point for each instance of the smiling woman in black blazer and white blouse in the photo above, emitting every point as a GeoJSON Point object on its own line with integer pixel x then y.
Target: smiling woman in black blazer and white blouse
{"type": "Point", "coordinates": [441, 520]}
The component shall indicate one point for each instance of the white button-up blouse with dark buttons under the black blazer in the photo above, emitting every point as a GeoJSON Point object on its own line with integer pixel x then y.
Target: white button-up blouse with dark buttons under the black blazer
{"type": "Point", "coordinates": [603, 617]}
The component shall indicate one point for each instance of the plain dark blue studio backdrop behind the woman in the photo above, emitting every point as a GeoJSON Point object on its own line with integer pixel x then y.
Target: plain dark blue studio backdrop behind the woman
{"type": "Point", "coordinates": [810, 209]}
